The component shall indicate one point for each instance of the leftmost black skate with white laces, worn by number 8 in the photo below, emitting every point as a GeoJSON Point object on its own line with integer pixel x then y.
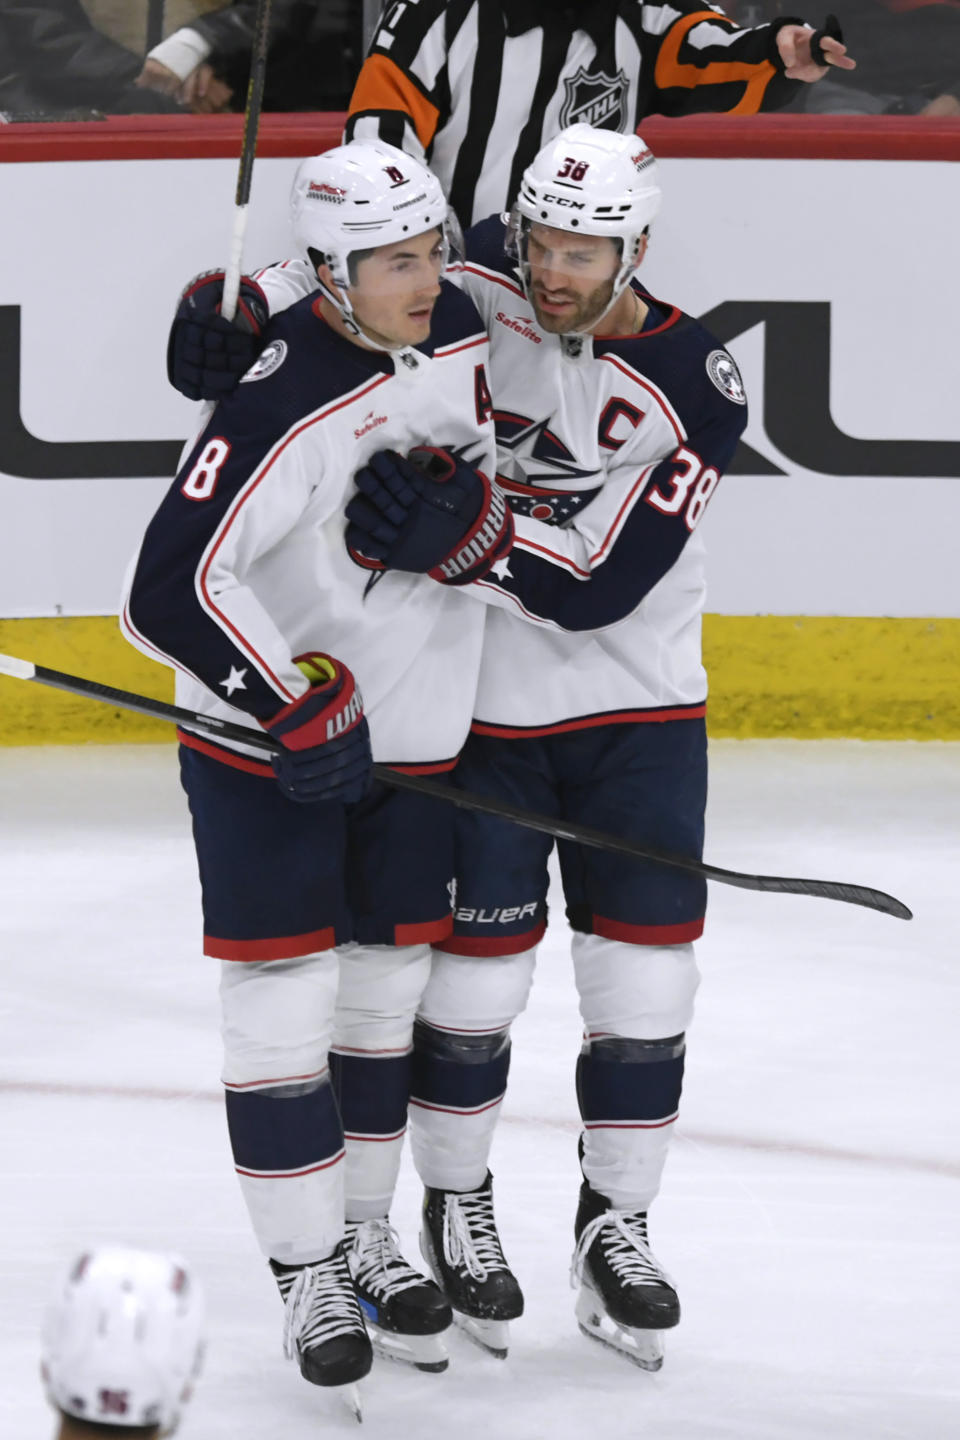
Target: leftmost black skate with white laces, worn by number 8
{"type": "Point", "coordinates": [325, 1328]}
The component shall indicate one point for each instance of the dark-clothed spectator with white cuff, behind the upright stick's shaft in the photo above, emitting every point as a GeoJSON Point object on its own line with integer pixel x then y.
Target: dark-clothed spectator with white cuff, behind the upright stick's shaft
{"type": "Point", "coordinates": [314, 55]}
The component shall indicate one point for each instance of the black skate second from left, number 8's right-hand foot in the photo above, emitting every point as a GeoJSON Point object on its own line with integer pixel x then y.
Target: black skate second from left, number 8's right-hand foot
{"type": "Point", "coordinates": [407, 1313]}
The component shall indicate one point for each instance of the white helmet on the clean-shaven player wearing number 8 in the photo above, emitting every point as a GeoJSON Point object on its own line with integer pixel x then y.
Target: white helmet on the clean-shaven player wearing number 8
{"type": "Point", "coordinates": [361, 197]}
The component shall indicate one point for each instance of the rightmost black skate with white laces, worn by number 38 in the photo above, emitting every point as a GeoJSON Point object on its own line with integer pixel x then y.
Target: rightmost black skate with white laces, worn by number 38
{"type": "Point", "coordinates": [625, 1297]}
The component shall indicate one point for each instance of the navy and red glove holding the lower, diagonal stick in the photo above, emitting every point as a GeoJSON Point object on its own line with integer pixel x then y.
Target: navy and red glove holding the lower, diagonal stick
{"type": "Point", "coordinates": [325, 734]}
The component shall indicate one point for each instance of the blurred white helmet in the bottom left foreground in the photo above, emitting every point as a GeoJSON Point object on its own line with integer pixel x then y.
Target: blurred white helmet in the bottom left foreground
{"type": "Point", "coordinates": [123, 1341]}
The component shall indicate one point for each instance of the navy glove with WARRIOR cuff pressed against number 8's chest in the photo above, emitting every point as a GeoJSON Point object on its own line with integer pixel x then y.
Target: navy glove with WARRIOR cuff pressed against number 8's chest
{"type": "Point", "coordinates": [428, 513]}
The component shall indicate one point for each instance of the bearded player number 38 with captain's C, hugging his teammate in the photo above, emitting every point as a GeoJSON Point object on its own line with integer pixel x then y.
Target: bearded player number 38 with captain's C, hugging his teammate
{"type": "Point", "coordinates": [615, 415]}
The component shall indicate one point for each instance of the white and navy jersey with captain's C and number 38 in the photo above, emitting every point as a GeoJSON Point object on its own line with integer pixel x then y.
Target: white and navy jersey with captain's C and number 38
{"type": "Point", "coordinates": [610, 451]}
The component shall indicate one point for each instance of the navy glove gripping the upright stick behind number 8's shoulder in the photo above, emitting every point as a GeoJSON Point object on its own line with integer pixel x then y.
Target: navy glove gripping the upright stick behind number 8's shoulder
{"type": "Point", "coordinates": [207, 355]}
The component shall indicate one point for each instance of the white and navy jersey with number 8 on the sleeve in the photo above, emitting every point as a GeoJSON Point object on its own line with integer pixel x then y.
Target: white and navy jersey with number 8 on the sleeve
{"type": "Point", "coordinates": [244, 565]}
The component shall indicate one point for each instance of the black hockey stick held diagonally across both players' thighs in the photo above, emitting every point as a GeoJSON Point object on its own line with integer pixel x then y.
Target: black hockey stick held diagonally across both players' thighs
{"type": "Point", "coordinates": [559, 829]}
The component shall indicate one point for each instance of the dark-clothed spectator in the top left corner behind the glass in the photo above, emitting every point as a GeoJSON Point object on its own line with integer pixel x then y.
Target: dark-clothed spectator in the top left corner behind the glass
{"type": "Point", "coordinates": [53, 60]}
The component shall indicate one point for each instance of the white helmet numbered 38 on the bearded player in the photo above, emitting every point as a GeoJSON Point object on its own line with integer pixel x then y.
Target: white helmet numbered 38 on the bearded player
{"type": "Point", "coordinates": [589, 182]}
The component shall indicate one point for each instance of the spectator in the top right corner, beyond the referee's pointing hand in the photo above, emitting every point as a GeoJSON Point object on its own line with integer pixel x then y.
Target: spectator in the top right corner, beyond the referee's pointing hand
{"type": "Point", "coordinates": [907, 53]}
